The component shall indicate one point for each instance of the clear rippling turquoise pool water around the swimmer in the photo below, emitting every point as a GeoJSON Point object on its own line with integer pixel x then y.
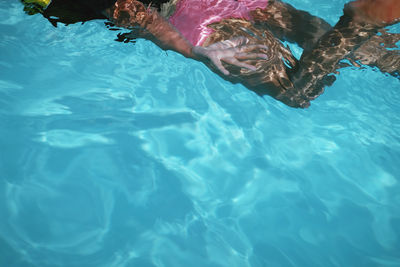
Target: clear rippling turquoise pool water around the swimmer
{"type": "Point", "coordinates": [119, 155]}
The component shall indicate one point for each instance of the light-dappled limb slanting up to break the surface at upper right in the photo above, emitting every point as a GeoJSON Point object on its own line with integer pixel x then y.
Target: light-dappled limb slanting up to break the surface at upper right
{"type": "Point", "coordinates": [362, 19]}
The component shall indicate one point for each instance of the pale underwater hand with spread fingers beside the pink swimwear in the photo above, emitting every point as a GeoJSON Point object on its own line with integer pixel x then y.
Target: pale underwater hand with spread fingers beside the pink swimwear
{"type": "Point", "coordinates": [233, 51]}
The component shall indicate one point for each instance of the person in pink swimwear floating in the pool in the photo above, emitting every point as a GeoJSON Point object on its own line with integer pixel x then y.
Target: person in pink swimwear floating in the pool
{"type": "Point", "coordinates": [241, 38]}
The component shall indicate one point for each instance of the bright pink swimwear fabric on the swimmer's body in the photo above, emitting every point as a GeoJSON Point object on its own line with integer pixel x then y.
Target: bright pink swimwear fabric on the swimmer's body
{"type": "Point", "coordinates": [191, 17]}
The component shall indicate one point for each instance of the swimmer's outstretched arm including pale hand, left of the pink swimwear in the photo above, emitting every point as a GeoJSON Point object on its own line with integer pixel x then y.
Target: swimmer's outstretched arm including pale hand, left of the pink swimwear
{"type": "Point", "coordinates": [131, 13]}
